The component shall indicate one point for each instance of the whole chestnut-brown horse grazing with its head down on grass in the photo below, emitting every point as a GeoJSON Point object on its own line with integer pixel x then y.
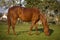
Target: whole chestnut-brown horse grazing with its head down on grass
{"type": "Point", "coordinates": [28, 15]}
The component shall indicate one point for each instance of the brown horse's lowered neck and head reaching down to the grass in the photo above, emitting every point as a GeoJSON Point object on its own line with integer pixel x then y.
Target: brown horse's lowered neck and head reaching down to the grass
{"type": "Point", "coordinates": [45, 23]}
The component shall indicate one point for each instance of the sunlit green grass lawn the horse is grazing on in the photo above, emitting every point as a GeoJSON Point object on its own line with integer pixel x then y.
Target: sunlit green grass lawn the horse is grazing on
{"type": "Point", "coordinates": [23, 29]}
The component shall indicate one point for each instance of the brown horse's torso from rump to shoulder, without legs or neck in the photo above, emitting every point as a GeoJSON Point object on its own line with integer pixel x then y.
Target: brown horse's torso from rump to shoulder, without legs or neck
{"type": "Point", "coordinates": [23, 13]}
